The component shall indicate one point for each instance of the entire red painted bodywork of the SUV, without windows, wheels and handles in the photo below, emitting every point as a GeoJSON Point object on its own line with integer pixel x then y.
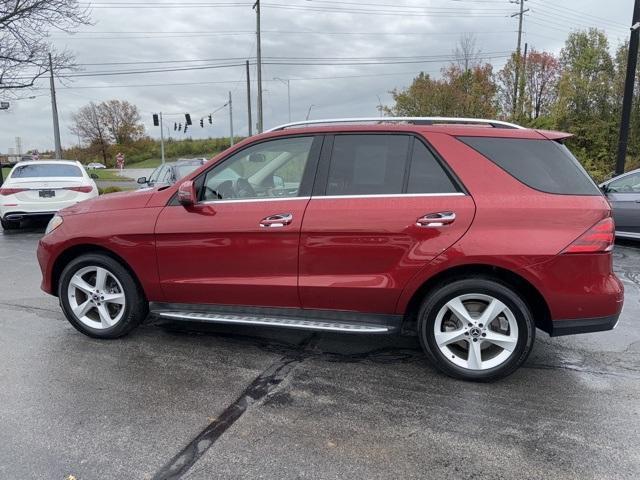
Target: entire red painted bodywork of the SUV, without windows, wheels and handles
{"type": "Point", "coordinates": [361, 254]}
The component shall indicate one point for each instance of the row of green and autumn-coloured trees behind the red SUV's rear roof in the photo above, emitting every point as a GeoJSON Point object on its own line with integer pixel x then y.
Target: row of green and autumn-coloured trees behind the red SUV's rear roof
{"type": "Point", "coordinates": [578, 91]}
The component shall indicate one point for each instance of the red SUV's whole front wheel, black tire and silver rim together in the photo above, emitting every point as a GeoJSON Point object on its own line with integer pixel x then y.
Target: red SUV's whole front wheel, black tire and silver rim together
{"type": "Point", "coordinates": [100, 298]}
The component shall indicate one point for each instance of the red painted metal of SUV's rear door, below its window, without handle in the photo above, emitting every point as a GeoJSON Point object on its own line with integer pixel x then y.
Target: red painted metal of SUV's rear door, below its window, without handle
{"type": "Point", "coordinates": [358, 254]}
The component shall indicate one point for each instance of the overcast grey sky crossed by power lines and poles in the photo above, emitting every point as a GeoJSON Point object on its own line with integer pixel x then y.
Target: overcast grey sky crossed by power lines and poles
{"type": "Point", "coordinates": [207, 33]}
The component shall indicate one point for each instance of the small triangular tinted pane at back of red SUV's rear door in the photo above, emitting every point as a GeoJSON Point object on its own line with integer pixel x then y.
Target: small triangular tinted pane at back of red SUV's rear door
{"type": "Point", "coordinates": [426, 175]}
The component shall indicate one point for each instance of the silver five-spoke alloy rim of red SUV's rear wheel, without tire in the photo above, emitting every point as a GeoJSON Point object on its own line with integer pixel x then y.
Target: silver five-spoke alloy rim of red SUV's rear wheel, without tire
{"type": "Point", "coordinates": [476, 331]}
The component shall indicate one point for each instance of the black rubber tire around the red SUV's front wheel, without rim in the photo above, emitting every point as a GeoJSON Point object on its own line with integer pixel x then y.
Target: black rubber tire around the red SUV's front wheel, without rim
{"type": "Point", "coordinates": [136, 307]}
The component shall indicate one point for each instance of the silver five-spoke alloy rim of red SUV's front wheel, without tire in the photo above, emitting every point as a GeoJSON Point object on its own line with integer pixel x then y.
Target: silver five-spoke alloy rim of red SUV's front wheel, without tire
{"type": "Point", "coordinates": [96, 297]}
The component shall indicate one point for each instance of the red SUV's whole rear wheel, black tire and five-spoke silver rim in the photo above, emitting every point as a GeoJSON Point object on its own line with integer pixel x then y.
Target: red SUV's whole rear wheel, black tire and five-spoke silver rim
{"type": "Point", "coordinates": [476, 329]}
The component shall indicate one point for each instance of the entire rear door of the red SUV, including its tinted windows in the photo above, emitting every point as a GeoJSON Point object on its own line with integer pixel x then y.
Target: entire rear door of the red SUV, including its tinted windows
{"type": "Point", "coordinates": [383, 206]}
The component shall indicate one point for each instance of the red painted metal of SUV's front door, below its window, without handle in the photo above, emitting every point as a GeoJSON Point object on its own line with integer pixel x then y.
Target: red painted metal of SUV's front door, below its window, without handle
{"type": "Point", "coordinates": [219, 253]}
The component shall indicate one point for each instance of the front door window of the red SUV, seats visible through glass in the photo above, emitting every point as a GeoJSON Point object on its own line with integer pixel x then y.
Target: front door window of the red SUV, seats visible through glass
{"type": "Point", "coordinates": [271, 169]}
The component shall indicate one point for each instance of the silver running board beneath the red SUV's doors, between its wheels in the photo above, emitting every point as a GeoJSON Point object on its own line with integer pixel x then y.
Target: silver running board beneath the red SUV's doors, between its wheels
{"type": "Point", "coordinates": [325, 325]}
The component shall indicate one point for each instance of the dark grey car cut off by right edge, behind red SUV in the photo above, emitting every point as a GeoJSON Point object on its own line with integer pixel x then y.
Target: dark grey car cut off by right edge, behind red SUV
{"type": "Point", "coordinates": [624, 195]}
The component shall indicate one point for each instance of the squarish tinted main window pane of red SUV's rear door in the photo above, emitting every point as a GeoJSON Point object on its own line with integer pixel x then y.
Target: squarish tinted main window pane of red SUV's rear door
{"type": "Point", "coordinates": [368, 164]}
